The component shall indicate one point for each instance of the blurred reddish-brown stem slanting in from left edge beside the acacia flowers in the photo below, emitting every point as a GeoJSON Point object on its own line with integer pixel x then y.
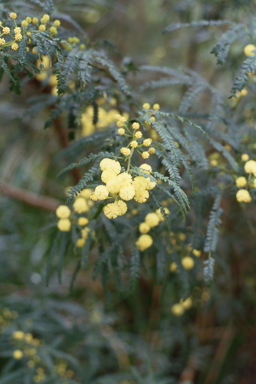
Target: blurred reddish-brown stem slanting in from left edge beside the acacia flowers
{"type": "Point", "coordinates": [29, 198]}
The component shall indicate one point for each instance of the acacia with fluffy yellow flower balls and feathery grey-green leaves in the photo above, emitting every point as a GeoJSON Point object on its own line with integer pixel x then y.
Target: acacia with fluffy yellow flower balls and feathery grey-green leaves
{"type": "Point", "coordinates": [151, 180]}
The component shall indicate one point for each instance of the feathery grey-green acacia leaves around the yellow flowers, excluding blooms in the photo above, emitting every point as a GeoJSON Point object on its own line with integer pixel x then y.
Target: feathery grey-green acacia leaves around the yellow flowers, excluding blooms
{"type": "Point", "coordinates": [181, 161]}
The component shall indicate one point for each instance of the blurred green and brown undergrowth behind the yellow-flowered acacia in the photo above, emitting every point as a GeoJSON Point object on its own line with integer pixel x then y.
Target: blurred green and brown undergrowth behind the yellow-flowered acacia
{"type": "Point", "coordinates": [135, 341]}
